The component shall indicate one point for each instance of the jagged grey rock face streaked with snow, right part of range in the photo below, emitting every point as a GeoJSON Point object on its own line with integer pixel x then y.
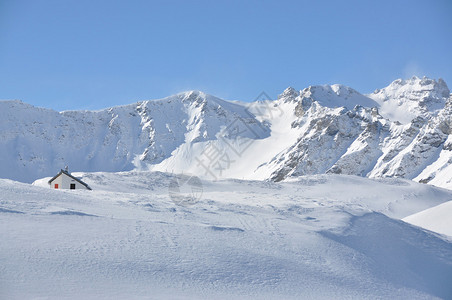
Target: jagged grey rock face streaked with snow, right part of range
{"type": "Point", "coordinates": [360, 141]}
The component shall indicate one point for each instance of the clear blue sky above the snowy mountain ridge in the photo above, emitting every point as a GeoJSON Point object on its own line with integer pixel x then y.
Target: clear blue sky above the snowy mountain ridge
{"type": "Point", "coordinates": [78, 54]}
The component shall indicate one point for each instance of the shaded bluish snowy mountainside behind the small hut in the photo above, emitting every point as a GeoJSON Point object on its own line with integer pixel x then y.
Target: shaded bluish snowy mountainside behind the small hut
{"type": "Point", "coordinates": [35, 142]}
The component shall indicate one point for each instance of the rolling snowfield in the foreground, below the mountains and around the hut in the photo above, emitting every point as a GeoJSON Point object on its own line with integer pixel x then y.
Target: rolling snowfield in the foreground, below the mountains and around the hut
{"type": "Point", "coordinates": [325, 236]}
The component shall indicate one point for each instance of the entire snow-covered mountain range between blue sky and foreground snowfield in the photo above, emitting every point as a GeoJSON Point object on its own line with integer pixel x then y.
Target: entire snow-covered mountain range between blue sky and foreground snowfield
{"type": "Point", "coordinates": [403, 130]}
